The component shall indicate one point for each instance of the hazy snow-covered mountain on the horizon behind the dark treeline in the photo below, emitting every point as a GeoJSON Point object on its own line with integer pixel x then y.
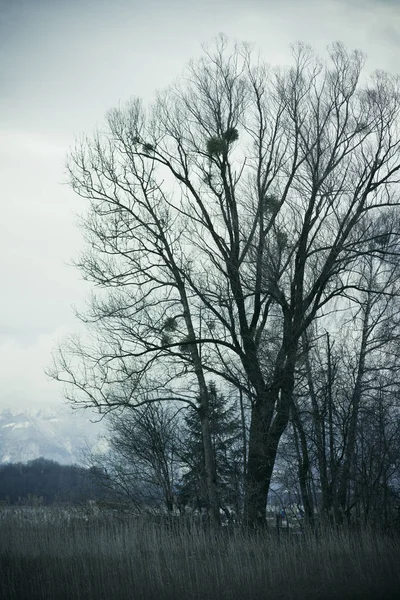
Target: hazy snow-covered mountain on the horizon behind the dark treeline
{"type": "Point", "coordinates": [55, 434]}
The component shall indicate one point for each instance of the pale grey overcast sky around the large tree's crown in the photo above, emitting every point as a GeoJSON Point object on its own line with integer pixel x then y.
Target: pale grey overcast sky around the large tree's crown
{"type": "Point", "coordinates": [63, 64]}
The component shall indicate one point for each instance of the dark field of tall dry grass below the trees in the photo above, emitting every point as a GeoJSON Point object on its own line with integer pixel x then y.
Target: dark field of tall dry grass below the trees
{"type": "Point", "coordinates": [107, 559]}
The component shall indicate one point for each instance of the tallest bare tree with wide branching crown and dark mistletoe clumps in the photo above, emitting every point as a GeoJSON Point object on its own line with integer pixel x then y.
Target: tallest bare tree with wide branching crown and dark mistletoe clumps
{"type": "Point", "coordinates": [230, 210]}
